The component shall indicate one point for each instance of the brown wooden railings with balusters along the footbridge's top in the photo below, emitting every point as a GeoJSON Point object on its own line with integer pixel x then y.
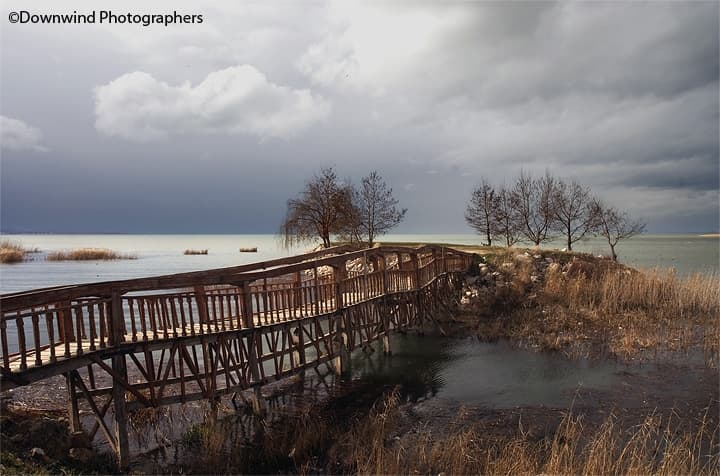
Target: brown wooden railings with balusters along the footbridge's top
{"type": "Point", "coordinates": [46, 326]}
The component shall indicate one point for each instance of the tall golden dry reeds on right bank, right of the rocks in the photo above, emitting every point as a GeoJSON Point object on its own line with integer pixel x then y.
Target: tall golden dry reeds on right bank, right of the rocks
{"type": "Point", "coordinates": [639, 310]}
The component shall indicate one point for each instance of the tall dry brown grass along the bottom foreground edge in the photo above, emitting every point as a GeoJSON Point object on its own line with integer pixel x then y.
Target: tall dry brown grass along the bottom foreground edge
{"type": "Point", "coordinates": [375, 444]}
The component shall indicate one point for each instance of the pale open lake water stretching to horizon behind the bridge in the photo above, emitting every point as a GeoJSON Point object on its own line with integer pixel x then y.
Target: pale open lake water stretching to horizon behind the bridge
{"type": "Point", "coordinates": [163, 254]}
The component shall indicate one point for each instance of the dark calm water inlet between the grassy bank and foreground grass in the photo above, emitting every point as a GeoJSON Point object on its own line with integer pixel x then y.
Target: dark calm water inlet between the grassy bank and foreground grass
{"type": "Point", "coordinates": [497, 375]}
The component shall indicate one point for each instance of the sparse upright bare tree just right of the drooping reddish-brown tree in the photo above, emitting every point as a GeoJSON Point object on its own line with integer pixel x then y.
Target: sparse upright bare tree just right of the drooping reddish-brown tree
{"type": "Point", "coordinates": [377, 208]}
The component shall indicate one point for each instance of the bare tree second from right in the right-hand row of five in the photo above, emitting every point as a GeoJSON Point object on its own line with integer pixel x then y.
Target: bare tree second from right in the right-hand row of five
{"type": "Point", "coordinates": [572, 210]}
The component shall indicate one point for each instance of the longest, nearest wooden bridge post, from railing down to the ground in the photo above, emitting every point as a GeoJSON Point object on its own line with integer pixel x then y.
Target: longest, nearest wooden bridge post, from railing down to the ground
{"type": "Point", "coordinates": [119, 380]}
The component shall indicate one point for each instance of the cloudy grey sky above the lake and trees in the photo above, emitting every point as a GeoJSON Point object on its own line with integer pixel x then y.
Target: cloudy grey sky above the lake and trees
{"type": "Point", "coordinates": [211, 127]}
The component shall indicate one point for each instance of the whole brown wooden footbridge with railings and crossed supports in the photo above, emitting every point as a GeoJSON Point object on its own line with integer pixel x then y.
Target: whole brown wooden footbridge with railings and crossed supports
{"type": "Point", "coordinates": [155, 341]}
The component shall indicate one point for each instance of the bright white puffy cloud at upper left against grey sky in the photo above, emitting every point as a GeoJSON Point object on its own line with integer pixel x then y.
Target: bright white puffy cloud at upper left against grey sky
{"type": "Point", "coordinates": [240, 99]}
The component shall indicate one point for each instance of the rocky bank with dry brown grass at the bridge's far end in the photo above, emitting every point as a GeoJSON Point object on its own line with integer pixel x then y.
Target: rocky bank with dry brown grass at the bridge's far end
{"type": "Point", "coordinates": [584, 305]}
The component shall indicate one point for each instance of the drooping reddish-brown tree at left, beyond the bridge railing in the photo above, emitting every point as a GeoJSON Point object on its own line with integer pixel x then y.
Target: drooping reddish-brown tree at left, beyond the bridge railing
{"type": "Point", "coordinates": [319, 211]}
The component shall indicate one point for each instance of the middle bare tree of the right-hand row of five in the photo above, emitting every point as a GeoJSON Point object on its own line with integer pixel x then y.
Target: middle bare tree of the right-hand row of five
{"type": "Point", "coordinates": [532, 199]}
